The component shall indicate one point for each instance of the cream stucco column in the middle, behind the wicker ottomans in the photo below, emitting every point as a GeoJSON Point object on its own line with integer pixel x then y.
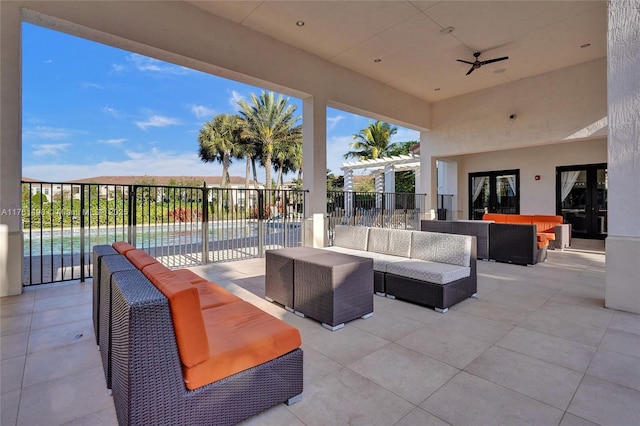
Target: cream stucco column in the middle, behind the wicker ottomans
{"type": "Point", "coordinates": [314, 163]}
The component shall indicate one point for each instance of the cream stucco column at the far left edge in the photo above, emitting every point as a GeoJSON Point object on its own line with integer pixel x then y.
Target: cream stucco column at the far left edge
{"type": "Point", "coordinates": [11, 247]}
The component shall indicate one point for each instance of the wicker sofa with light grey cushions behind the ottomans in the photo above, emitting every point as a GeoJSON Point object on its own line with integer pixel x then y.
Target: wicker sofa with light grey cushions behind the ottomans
{"type": "Point", "coordinates": [428, 268]}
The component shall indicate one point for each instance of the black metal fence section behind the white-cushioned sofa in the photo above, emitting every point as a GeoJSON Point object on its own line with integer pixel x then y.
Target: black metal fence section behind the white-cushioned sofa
{"type": "Point", "coordinates": [380, 209]}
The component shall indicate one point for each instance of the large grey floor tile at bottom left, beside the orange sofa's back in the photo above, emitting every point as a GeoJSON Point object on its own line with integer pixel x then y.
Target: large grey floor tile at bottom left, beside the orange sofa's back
{"type": "Point", "coordinates": [65, 399]}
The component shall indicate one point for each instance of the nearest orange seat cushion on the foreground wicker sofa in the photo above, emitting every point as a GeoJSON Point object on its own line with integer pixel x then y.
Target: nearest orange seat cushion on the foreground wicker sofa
{"type": "Point", "coordinates": [240, 336]}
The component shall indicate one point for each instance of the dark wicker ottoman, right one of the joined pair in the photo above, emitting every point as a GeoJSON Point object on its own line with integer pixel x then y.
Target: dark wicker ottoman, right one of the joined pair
{"type": "Point", "coordinates": [333, 288]}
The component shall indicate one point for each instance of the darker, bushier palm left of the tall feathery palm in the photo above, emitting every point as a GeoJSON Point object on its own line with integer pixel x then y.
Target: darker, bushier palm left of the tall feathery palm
{"type": "Point", "coordinates": [220, 141]}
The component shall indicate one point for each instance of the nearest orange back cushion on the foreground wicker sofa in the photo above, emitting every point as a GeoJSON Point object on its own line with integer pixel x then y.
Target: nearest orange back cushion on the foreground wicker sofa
{"type": "Point", "coordinates": [186, 315]}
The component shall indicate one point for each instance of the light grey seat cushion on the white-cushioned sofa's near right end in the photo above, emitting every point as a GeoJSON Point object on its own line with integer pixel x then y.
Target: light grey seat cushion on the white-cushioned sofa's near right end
{"type": "Point", "coordinates": [433, 272]}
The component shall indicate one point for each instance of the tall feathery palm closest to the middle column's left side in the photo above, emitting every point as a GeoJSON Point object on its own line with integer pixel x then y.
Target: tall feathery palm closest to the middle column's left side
{"type": "Point", "coordinates": [267, 121]}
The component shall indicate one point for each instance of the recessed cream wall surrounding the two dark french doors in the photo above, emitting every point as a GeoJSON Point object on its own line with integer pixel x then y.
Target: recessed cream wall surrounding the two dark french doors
{"type": "Point", "coordinates": [536, 196]}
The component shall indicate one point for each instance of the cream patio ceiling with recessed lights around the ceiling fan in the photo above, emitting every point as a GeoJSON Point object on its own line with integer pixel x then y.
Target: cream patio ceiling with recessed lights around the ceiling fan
{"type": "Point", "coordinates": [538, 37]}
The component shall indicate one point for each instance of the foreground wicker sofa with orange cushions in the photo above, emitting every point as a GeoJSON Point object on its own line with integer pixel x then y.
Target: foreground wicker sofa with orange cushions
{"type": "Point", "coordinates": [182, 350]}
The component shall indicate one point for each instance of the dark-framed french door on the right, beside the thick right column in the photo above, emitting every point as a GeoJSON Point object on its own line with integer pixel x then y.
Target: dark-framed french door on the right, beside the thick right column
{"type": "Point", "coordinates": [581, 199]}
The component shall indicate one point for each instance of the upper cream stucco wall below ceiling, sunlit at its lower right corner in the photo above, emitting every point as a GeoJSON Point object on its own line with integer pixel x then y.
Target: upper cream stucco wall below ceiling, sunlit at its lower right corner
{"type": "Point", "coordinates": [550, 108]}
